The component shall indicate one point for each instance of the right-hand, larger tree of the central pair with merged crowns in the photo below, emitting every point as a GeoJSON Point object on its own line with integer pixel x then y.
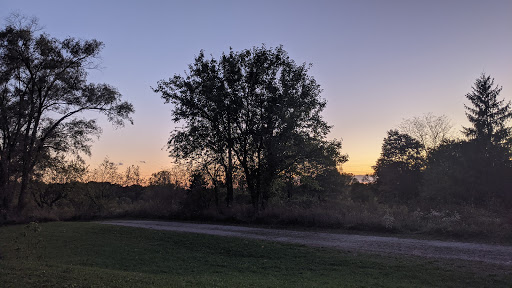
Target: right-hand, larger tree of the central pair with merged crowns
{"type": "Point", "coordinates": [279, 125]}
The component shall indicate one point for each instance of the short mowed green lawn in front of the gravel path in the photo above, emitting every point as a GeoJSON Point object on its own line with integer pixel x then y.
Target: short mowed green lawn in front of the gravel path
{"type": "Point", "coordinates": [74, 254]}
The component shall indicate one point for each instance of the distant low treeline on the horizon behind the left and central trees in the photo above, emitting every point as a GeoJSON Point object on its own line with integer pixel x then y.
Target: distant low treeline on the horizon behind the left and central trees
{"type": "Point", "coordinates": [178, 193]}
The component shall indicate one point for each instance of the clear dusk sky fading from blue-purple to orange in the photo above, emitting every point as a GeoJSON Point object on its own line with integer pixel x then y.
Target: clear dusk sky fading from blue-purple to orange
{"type": "Point", "coordinates": [378, 62]}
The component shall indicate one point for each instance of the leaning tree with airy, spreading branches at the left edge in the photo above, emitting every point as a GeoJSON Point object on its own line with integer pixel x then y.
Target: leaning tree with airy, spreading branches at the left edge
{"type": "Point", "coordinates": [43, 94]}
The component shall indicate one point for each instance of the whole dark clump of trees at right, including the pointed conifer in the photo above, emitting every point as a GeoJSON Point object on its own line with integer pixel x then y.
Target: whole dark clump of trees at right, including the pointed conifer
{"type": "Point", "coordinates": [421, 162]}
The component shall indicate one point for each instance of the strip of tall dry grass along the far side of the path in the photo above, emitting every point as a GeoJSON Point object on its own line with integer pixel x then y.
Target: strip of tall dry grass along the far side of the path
{"type": "Point", "coordinates": [340, 212]}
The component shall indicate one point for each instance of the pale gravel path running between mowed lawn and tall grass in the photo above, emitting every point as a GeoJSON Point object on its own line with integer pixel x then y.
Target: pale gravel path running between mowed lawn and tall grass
{"type": "Point", "coordinates": [374, 244]}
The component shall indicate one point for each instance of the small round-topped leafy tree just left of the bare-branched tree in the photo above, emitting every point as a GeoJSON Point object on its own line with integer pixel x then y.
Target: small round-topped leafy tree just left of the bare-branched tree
{"type": "Point", "coordinates": [398, 170]}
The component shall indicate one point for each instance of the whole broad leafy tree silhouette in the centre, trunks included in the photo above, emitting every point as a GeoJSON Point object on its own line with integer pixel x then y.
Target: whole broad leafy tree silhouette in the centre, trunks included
{"type": "Point", "coordinates": [254, 110]}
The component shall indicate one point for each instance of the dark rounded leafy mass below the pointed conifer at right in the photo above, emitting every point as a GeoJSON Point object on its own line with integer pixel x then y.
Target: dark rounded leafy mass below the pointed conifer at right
{"type": "Point", "coordinates": [458, 172]}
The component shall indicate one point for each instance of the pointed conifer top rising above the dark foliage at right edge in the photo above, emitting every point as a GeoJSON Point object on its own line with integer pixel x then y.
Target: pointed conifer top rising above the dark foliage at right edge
{"type": "Point", "coordinates": [488, 115]}
